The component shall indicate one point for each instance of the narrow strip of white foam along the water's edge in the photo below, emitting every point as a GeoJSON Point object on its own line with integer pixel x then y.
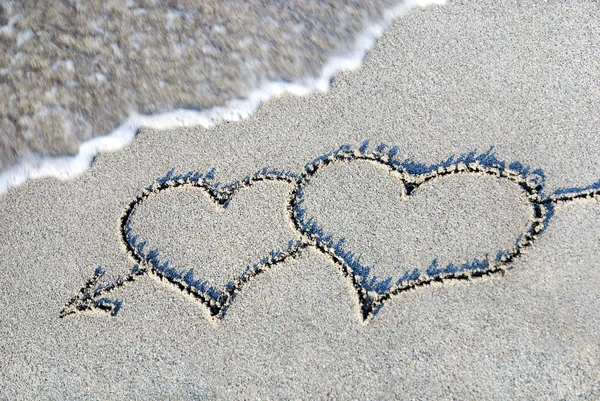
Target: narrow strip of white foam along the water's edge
{"type": "Point", "coordinates": [66, 167]}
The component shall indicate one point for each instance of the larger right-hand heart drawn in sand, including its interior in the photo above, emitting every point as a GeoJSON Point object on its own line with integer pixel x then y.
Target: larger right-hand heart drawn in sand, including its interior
{"type": "Point", "coordinates": [392, 226]}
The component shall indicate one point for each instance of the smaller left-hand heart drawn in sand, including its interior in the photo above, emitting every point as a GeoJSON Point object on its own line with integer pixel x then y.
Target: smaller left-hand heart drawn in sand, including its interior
{"type": "Point", "coordinates": [209, 240]}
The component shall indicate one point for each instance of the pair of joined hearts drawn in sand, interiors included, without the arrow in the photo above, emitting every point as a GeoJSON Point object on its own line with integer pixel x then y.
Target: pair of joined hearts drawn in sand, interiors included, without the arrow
{"type": "Point", "coordinates": [388, 225]}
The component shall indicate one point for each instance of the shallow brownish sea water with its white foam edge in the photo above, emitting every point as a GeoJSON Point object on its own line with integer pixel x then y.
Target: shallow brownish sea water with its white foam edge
{"type": "Point", "coordinates": [78, 78]}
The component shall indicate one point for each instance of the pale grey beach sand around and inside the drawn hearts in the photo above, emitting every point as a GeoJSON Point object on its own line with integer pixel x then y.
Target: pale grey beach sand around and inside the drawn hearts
{"type": "Point", "coordinates": [444, 81]}
